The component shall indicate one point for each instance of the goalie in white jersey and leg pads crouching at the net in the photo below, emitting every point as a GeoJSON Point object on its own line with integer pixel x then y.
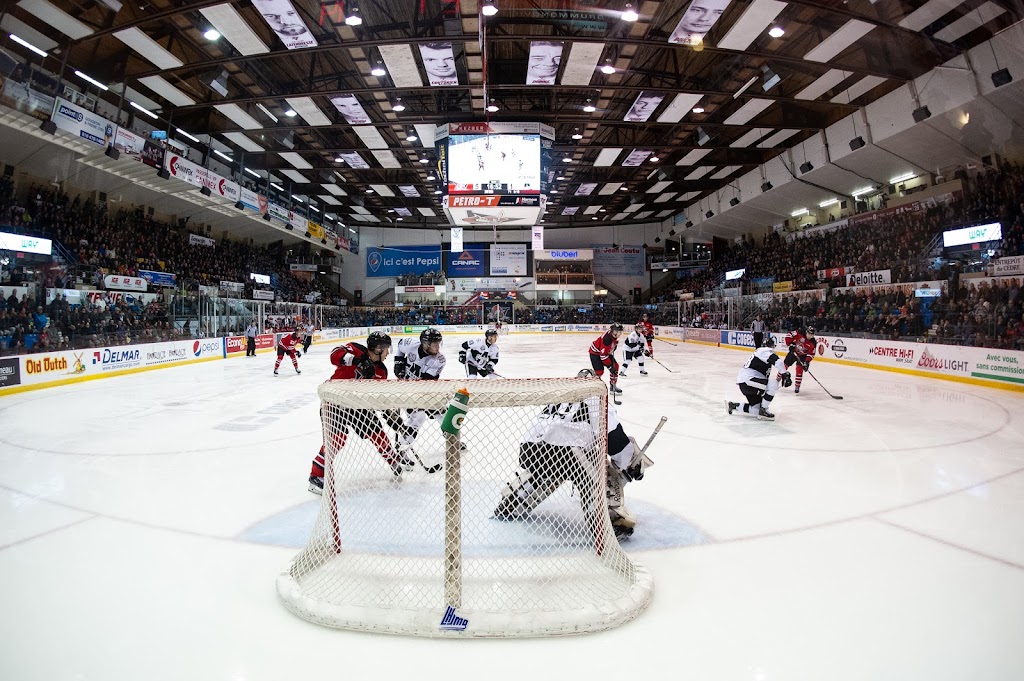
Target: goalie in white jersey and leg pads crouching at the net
{"type": "Point", "coordinates": [560, 447]}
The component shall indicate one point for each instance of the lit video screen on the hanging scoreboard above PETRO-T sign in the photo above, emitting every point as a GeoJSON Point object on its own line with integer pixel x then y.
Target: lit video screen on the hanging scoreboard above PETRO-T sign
{"type": "Point", "coordinates": [494, 164]}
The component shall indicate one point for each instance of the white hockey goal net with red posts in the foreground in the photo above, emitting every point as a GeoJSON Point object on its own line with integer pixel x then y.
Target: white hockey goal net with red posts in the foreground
{"type": "Point", "coordinates": [509, 537]}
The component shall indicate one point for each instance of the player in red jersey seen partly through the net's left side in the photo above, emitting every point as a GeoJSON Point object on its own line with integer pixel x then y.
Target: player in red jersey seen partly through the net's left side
{"type": "Point", "coordinates": [357, 362]}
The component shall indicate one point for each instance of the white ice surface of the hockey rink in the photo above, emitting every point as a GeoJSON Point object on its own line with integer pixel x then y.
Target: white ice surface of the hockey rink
{"type": "Point", "coordinates": [144, 521]}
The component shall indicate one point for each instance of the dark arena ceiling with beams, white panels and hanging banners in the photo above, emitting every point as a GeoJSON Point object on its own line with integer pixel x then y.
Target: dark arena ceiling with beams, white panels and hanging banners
{"type": "Point", "coordinates": [715, 109]}
